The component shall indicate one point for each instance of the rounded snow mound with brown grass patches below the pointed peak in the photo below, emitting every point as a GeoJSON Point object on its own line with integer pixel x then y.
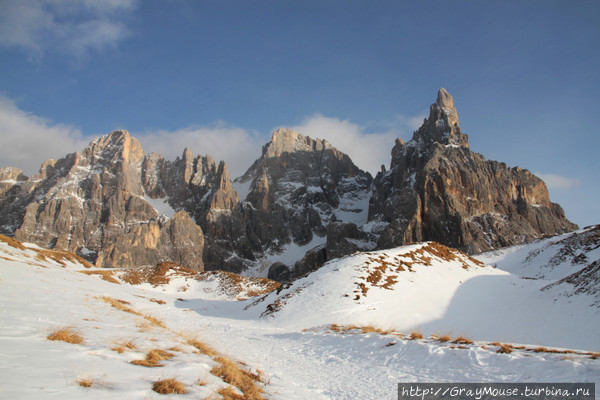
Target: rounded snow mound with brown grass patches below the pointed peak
{"type": "Point", "coordinates": [436, 290]}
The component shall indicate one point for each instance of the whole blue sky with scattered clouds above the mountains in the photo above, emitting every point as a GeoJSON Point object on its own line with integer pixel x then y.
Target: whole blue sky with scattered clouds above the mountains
{"type": "Point", "coordinates": [219, 76]}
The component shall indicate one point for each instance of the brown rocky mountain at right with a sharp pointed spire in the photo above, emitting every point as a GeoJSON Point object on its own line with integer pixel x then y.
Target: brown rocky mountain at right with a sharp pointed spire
{"type": "Point", "coordinates": [438, 189]}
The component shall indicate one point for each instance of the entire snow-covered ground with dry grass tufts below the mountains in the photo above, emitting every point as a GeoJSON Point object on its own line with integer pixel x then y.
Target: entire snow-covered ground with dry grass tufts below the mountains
{"type": "Point", "coordinates": [343, 332]}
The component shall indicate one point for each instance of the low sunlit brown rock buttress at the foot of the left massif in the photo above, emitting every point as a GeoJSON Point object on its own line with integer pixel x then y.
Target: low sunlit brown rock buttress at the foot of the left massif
{"type": "Point", "coordinates": [180, 240]}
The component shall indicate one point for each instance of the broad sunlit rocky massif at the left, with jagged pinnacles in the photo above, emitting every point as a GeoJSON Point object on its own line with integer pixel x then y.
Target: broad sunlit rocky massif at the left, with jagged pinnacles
{"type": "Point", "coordinates": [99, 201]}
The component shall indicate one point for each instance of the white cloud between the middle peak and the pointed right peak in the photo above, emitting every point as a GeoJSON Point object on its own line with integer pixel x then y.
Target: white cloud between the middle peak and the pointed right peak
{"type": "Point", "coordinates": [368, 150]}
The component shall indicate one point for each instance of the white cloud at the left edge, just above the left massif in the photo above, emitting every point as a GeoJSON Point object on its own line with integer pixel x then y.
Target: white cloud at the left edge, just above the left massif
{"type": "Point", "coordinates": [26, 140]}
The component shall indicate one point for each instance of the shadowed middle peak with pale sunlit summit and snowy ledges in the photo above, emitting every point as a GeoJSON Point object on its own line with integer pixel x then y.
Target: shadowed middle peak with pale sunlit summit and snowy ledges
{"type": "Point", "coordinates": [296, 188]}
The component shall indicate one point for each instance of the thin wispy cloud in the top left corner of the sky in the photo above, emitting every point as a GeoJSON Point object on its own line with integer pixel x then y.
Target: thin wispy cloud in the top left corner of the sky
{"type": "Point", "coordinates": [72, 27]}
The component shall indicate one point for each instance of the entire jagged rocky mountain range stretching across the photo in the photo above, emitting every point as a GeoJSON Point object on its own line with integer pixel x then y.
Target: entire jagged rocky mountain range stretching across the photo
{"type": "Point", "coordinates": [301, 203]}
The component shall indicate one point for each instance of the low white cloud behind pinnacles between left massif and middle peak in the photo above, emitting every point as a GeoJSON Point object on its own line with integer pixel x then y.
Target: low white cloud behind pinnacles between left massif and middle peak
{"type": "Point", "coordinates": [236, 146]}
